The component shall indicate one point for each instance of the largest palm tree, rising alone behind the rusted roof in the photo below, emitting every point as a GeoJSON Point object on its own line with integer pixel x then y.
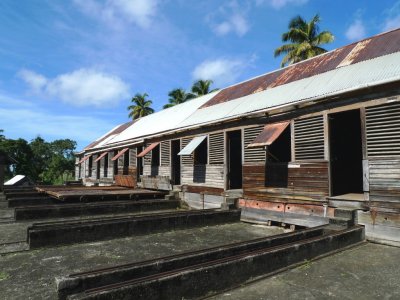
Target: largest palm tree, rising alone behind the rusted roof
{"type": "Point", "coordinates": [305, 40]}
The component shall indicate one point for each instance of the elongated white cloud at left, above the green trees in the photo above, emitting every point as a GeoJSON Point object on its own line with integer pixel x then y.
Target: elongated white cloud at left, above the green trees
{"type": "Point", "coordinates": [80, 88]}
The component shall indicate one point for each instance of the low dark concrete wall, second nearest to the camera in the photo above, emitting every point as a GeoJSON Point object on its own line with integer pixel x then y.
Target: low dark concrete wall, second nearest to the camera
{"type": "Point", "coordinates": [70, 232]}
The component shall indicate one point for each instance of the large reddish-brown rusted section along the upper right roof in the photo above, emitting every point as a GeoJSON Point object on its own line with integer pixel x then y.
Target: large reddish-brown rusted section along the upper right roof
{"type": "Point", "coordinates": [367, 49]}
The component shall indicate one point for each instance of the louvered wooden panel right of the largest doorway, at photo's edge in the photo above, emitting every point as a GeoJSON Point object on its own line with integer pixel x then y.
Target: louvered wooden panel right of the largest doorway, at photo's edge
{"type": "Point", "coordinates": [383, 130]}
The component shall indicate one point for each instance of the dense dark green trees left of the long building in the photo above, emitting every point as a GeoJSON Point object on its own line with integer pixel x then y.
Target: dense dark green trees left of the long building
{"type": "Point", "coordinates": [45, 162]}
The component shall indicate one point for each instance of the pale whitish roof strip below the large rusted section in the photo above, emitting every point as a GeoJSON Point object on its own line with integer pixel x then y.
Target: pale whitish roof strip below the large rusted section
{"type": "Point", "coordinates": [379, 70]}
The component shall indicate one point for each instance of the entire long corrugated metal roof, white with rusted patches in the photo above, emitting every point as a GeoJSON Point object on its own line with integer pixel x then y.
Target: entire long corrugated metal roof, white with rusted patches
{"type": "Point", "coordinates": [366, 63]}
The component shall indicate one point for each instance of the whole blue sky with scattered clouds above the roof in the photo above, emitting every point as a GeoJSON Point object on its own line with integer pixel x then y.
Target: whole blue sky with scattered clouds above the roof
{"type": "Point", "coordinates": [69, 68]}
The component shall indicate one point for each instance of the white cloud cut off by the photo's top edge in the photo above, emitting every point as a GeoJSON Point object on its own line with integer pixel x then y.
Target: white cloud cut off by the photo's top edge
{"type": "Point", "coordinates": [140, 12]}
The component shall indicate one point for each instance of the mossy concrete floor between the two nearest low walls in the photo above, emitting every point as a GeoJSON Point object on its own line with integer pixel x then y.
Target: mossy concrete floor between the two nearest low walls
{"type": "Point", "coordinates": [31, 275]}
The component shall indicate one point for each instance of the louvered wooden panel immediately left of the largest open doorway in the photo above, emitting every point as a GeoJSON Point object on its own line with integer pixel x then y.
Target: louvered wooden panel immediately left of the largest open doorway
{"type": "Point", "coordinates": [309, 138]}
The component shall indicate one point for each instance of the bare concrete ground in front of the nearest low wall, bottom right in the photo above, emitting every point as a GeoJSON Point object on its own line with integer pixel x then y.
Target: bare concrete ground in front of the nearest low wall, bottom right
{"type": "Point", "coordinates": [368, 271]}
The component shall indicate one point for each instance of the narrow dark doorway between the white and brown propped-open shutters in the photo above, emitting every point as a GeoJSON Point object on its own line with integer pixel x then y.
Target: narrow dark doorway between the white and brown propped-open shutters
{"type": "Point", "coordinates": [234, 159]}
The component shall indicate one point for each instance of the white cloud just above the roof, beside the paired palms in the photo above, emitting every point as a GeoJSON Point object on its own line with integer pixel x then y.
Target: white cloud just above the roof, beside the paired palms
{"type": "Point", "coordinates": [221, 71]}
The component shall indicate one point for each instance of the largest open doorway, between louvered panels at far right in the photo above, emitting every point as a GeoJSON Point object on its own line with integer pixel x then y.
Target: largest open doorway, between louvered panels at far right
{"type": "Point", "coordinates": [345, 147]}
